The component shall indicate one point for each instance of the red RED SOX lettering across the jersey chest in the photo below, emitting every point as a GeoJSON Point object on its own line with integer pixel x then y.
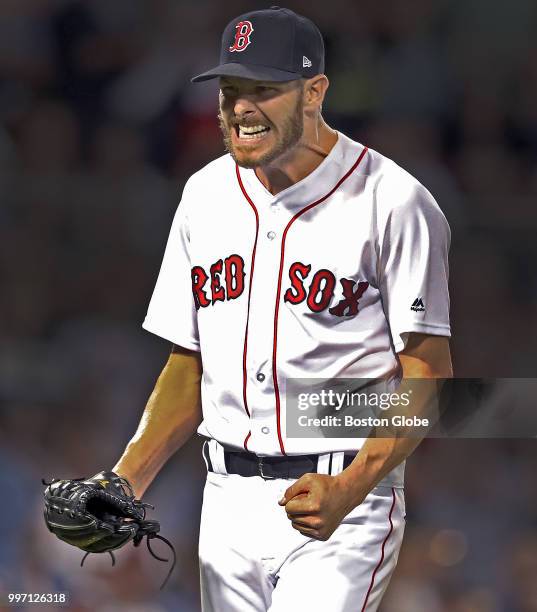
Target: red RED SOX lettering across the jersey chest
{"type": "Point", "coordinates": [318, 294]}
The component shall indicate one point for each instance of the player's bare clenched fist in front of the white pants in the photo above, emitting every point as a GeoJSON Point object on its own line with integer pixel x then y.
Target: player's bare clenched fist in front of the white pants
{"type": "Point", "coordinates": [317, 503]}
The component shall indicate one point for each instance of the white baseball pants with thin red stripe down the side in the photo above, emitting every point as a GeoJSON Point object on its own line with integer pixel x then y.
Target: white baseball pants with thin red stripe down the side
{"type": "Point", "coordinates": [252, 560]}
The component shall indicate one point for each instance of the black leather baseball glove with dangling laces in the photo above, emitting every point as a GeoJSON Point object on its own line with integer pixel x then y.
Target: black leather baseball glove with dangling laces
{"type": "Point", "coordinates": [99, 514]}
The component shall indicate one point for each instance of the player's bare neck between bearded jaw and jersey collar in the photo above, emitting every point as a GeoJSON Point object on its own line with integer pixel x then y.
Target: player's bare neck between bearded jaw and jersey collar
{"type": "Point", "coordinates": [315, 144]}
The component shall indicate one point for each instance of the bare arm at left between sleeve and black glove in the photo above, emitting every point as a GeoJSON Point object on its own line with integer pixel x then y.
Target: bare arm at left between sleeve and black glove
{"type": "Point", "coordinates": [171, 416]}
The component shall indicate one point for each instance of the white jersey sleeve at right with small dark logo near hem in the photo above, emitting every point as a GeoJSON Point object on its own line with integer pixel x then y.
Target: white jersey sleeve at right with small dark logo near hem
{"type": "Point", "coordinates": [414, 240]}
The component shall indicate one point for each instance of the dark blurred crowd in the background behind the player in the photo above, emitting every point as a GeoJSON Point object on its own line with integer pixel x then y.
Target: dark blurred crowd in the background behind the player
{"type": "Point", "coordinates": [99, 130]}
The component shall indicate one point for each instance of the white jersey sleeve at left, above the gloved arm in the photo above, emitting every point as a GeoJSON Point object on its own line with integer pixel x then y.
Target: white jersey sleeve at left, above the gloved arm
{"type": "Point", "coordinates": [172, 312]}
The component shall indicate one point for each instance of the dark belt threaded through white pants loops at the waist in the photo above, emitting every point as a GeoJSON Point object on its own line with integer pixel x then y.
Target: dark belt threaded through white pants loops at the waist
{"type": "Point", "coordinates": [269, 468]}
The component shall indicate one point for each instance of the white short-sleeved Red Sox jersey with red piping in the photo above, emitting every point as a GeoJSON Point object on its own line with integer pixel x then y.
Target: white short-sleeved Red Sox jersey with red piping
{"type": "Point", "coordinates": [324, 279]}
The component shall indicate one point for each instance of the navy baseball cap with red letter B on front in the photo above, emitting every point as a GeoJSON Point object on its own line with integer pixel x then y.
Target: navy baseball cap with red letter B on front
{"type": "Point", "coordinates": [273, 44]}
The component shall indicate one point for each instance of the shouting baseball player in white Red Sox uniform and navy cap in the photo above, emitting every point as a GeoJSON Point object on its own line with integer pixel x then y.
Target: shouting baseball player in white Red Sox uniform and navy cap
{"type": "Point", "coordinates": [299, 254]}
